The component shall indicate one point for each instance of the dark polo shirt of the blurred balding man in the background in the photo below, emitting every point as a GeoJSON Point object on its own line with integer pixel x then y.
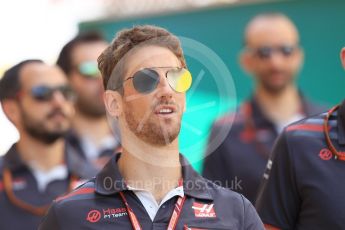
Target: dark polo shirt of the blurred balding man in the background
{"type": "Point", "coordinates": [239, 161]}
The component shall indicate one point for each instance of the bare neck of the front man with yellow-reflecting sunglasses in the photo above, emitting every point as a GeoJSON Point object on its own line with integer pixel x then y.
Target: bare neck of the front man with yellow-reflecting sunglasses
{"type": "Point", "coordinates": [155, 169]}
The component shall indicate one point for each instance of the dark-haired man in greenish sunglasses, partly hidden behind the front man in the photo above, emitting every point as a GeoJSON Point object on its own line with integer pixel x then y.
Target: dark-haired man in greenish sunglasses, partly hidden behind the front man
{"type": "Point", "coordinates": [90, 135]}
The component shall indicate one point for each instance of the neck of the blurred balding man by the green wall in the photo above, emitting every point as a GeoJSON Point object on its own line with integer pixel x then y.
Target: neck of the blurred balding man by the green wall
{"type": "Point", "coordinates": [279, 107]}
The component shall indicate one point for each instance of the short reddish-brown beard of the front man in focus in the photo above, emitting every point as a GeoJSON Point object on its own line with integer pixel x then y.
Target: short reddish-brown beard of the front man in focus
{"type": "Point", "coordinates": [151, 132]}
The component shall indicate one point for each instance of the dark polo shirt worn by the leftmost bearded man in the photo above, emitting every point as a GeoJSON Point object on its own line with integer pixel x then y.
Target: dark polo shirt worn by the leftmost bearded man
{"type": "Point", "coordinates": [25, 188]}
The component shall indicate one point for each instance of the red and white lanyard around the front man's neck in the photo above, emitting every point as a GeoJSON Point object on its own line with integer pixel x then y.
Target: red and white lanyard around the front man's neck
{"type": "Point", "coordinates": [173, 219]}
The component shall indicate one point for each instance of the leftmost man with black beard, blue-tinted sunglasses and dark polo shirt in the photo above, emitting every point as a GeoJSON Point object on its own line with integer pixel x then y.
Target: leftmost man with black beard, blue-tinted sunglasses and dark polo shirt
{"type": "Point", "coordinates": [36, 98]}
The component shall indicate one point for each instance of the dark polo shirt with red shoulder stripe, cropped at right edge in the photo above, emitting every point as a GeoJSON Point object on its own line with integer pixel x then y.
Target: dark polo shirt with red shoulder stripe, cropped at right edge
{"type": "Point", "coordinates": [303, 187]}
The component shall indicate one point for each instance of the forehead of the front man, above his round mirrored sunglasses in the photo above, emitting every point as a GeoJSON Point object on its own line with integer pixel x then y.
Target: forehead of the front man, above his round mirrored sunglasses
{"type": "Point", "coordinates": [151, 56]}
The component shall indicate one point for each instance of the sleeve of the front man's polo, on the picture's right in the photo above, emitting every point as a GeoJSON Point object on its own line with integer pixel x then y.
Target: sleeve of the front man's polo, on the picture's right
{"type": "Point", "coordinates": [252, 220]}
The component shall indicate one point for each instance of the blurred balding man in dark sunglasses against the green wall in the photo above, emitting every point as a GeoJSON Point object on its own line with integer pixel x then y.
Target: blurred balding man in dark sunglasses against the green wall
{"type": "Point", "coordinates": [273, 57]}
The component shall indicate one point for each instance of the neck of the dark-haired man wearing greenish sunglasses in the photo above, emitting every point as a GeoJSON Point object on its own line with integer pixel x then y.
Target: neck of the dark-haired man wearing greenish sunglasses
{"type": "Point", "coordinates": [94, 129]}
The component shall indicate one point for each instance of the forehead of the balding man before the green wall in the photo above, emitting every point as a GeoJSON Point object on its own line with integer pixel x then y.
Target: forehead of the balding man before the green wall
{"type": "Point", "coordinates": [271, 31]}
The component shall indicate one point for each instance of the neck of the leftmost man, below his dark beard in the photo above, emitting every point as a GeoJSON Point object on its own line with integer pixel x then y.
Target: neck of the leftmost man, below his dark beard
{"type": "Point", "coordinates": [40, 155]}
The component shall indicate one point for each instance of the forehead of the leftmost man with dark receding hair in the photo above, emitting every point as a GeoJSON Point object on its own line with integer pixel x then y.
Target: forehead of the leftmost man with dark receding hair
{"type": "Point", "coordinates": [41, 74]}
